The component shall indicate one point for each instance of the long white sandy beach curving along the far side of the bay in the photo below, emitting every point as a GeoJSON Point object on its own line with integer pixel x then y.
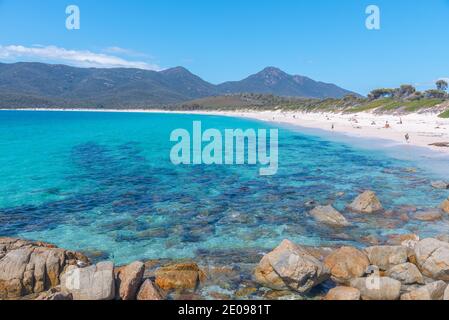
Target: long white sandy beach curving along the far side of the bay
{"type": "Point", "coordinates": [424, 129]}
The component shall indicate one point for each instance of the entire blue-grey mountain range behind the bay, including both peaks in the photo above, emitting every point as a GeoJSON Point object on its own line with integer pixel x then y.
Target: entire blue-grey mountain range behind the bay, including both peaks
{"type": "Point", "coordinates": [41, 85]}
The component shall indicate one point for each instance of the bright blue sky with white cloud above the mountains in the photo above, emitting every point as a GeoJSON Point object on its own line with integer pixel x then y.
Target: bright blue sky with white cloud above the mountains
{"type": "Point", "coordinates": [223, 40]}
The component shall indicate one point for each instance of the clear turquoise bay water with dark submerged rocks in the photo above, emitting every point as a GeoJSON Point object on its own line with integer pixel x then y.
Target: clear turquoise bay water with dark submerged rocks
{"type": "Point", "coordinates": [103, 182]}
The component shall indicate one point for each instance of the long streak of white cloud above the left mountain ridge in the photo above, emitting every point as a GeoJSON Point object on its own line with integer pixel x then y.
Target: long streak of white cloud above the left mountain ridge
{"type": "Point", "coordinates": [83, 58]}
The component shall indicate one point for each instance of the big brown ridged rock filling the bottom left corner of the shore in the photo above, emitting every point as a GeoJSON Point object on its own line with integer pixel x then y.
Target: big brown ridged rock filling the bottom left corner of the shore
{"type": "Point", "coordinates": [28, 267]}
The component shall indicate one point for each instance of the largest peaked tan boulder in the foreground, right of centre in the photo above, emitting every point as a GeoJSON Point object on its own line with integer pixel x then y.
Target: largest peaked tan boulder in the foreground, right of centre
{"type": "Point", "coordinates": [290, 267]}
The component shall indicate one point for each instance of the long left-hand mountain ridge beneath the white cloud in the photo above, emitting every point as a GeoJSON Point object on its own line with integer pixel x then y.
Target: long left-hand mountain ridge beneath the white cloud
{"type": "Point", "coordinates": [46, 85]}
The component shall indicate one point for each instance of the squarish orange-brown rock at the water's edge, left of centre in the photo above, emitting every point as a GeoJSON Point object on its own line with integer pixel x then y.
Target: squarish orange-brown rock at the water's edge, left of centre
{"type": "Point", "coordinates": [180, 277]}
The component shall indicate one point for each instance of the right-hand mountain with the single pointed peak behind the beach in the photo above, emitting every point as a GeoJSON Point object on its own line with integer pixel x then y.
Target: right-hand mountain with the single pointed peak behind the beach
{"type": "Point", "coordinates": [275, 81]}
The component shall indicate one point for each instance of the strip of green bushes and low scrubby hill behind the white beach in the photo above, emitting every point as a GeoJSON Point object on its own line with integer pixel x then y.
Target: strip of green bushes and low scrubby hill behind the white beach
{"type": "Point", "coordinates": [402, 100]}
